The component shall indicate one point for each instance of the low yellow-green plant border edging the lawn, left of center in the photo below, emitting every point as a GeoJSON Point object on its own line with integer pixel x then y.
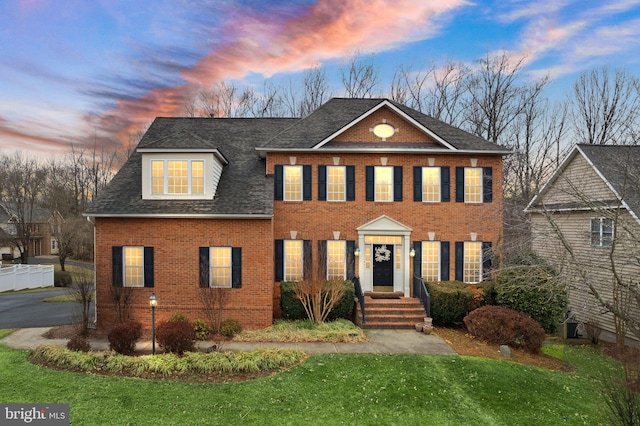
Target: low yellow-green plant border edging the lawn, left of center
{"type": "Point", "coordinates": [267, 359]}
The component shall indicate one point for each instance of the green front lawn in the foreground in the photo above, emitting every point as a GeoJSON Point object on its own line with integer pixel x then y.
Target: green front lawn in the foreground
{"type": "Point", "coordinates": [331, 390]}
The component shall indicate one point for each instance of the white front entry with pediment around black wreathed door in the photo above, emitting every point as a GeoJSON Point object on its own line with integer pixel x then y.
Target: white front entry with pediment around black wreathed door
{"type": "Point", "coordinates": [384, 263]}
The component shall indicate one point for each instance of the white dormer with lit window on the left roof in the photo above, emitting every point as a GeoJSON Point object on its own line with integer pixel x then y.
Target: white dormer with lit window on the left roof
{"type": "Point", "coordinates": [168, 175]}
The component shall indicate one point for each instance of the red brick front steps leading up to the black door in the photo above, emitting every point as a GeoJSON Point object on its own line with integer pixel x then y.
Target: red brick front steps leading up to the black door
{"type": "Point", "coordinates": [390, 311]}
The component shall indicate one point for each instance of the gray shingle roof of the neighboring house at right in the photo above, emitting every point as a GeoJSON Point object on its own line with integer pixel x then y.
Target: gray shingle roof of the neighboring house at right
{"type": "Point", "coordinates": [620, 166]}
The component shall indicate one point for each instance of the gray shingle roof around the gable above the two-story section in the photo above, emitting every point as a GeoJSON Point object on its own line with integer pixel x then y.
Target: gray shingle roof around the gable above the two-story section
{"type": "Point", "coordinates": [340, 112]}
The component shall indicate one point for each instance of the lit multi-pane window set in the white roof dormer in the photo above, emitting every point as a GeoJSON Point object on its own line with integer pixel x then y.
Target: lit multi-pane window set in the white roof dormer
{"type": "Point", "coordinates": [177, 177]}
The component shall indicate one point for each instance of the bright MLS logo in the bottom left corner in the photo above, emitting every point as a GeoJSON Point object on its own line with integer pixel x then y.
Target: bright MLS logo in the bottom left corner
{"type": "Point", "coordinates": [36, 414]}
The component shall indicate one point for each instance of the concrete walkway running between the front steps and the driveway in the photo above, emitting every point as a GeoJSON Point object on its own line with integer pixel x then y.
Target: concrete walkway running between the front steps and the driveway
{"type": "Point", "coordinates": [380, 341]}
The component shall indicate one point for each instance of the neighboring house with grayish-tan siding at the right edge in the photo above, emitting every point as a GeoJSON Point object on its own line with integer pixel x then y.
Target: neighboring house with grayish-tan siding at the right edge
{"type": "Point", "coordinates": [585, 221]}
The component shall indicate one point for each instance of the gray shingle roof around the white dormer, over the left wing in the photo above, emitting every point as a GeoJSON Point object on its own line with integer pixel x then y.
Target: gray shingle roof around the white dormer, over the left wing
{"type": "Point", "coordinates": [243, 188]}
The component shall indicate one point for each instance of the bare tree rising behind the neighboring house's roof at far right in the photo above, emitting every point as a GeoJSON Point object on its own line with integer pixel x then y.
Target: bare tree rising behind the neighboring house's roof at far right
{"type": "Point", "coordinates": [606, 107]}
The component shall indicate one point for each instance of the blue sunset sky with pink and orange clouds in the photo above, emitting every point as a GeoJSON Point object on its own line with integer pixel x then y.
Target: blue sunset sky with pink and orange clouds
{"type": "Point", "coordinates": [79, 71]}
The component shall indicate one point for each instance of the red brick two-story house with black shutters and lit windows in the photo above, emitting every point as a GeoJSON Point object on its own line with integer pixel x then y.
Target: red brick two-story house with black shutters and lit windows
{"type": "Point", "coordinates": [362, 188]}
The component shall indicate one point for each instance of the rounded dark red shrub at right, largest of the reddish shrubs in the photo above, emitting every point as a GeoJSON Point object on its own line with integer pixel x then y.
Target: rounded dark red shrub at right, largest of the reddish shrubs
{"type": "Point", "coordinates": [504, 326]}
